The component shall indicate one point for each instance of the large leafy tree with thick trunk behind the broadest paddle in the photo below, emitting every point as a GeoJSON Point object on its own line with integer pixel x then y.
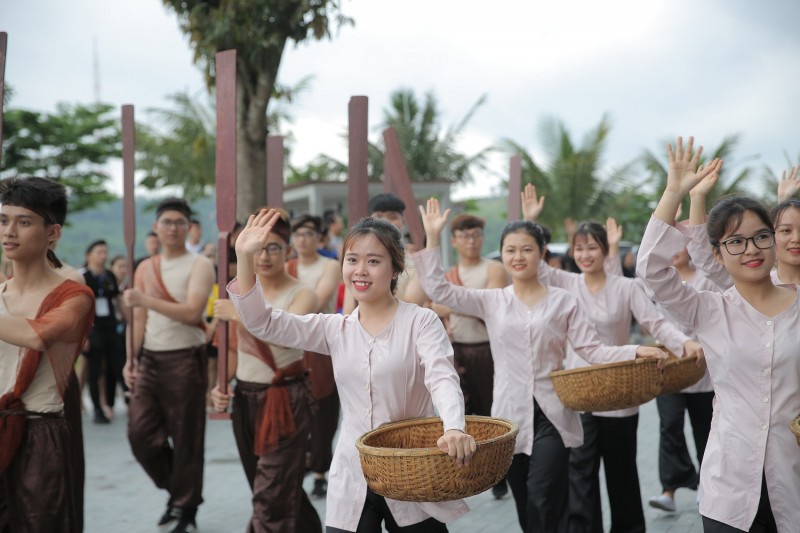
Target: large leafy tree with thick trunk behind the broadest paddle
{"type": "Point", "coordinates": [259, 30]}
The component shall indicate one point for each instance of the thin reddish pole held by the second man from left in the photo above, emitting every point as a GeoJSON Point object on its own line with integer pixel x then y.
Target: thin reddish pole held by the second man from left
{"type": "Point", "coordinates": [129, 202]}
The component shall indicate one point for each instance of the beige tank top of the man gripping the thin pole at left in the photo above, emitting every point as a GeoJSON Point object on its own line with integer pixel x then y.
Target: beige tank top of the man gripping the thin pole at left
{"type": "Point", "coordinates": [162, 333]}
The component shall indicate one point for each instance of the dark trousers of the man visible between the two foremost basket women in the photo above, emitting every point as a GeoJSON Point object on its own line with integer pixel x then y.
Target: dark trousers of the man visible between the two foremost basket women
{"type": "Point", "coordinates": [476, 371]}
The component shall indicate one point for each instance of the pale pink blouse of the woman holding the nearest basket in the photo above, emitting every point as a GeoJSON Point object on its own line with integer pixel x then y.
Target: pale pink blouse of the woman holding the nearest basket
{"type": "Point", "coordinates": [403, 372]}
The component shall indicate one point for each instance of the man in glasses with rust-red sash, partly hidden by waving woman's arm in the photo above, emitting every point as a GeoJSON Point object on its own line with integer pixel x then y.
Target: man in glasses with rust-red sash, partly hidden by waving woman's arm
{"type": "Point", "coordinates": [271, 402]}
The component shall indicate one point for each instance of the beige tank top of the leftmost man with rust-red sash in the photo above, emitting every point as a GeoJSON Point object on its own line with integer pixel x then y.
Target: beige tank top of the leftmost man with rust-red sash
{"type": "Point", "coordinates": [42, 395]}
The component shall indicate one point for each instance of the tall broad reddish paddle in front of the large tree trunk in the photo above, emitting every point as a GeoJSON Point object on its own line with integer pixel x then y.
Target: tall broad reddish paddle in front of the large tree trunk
{"type": "Point", "coordinates": [226, 197]}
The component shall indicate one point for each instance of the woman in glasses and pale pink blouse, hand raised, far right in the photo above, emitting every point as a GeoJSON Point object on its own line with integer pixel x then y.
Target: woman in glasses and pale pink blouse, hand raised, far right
{"type": "Point", "coordinates": [750, 475]}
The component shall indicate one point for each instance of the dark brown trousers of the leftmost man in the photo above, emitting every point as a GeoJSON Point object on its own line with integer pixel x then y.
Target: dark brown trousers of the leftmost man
{"type": "Point", "coordinates": [37, 485]}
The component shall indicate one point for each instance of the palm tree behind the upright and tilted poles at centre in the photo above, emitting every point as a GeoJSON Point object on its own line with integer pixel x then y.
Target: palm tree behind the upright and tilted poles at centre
{"type": "Point", "coordinates": [429, 151]}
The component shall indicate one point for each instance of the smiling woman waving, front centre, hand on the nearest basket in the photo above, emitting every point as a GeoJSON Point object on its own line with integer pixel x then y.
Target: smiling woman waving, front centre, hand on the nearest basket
{"type": "Point", "coordinates": [391, 361]}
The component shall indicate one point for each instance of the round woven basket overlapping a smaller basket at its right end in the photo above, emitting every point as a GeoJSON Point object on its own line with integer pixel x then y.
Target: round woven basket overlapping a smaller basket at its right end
{"type": "Point", "coordinates": [608, 387]}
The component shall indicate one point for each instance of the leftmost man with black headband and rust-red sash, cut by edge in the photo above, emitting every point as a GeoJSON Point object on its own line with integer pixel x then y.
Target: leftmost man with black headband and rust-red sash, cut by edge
{"type": "Point", "coordinates": [44, 321]}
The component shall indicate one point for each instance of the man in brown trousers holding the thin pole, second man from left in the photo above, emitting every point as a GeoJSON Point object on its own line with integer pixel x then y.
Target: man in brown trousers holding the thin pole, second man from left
{"type": "Point", "coordinates": [167, 371]}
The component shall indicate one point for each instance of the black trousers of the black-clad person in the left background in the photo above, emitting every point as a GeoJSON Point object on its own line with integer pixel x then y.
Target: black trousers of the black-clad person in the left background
{"type": "Point", "coordinates": [104, 360]}
